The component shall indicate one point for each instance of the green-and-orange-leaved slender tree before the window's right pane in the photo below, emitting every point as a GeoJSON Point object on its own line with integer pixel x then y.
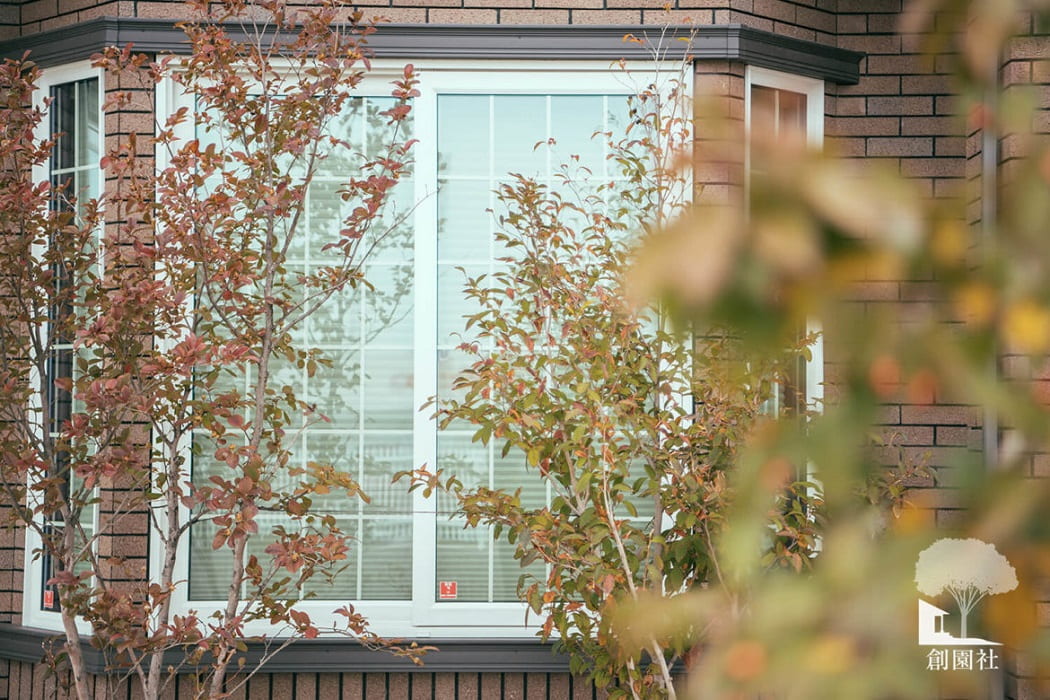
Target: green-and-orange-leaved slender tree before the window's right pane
{"type": "Point", "coordinates": [629, 425]}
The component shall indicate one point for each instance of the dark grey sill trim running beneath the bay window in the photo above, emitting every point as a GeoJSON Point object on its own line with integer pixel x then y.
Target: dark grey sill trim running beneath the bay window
{"type": "Point", "coordinates": [338, 655]}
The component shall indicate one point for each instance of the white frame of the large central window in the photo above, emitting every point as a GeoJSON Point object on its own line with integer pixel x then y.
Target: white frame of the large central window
{"type": "Point", "coordinates": [424, 617]}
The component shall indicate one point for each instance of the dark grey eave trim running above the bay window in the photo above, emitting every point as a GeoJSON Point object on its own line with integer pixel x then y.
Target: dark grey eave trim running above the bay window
{"type": "Point", "coordinates": [725, 43]}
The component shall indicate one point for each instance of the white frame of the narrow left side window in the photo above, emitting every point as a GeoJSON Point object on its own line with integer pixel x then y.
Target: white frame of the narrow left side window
{"type": "Point", "coordinates": [33, 616]}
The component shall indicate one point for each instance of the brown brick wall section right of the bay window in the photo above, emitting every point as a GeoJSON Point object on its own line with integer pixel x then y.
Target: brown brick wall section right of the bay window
{"type": "Point", "coordinates": [901, 115]}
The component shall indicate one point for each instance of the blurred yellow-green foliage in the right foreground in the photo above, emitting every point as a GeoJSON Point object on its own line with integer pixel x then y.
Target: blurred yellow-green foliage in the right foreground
{"type": "Point", "coordinates": [848, 628]}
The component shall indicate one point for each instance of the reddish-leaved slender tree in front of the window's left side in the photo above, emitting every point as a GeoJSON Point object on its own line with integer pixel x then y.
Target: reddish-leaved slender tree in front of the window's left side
{"type": "Point", "coordinates": [178, 304]}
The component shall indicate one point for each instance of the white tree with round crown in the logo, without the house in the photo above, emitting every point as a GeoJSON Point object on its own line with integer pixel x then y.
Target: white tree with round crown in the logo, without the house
{"type": "Point", "coordinates": [968, 569]}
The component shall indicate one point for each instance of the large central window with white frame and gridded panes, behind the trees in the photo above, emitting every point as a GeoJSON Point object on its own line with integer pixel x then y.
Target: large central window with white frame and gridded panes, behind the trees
{"type": "Point", "coordinates": [412, 570]}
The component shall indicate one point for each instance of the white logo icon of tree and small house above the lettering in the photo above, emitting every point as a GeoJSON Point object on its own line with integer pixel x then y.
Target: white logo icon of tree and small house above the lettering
{"type": "Point", "coordinates": [967, 569]}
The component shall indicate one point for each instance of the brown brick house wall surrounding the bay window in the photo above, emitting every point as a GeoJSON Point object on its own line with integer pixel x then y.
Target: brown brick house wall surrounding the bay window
{"type": "Point", "coordinates": [901, 114]}
